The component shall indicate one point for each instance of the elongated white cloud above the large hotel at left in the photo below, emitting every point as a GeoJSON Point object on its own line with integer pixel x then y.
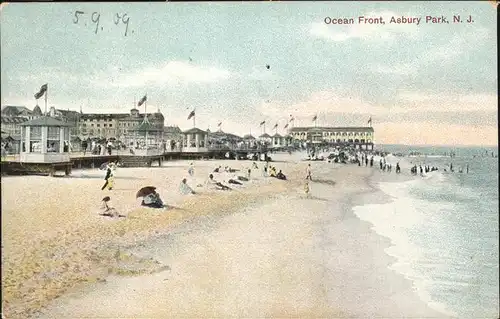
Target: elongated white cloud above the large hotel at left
{"type": "Point", "coordinates": [172, 72]}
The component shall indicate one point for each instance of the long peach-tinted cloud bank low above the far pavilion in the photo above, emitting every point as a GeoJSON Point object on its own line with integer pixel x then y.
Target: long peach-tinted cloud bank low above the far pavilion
{"type": "Point", "coordinates": [344, 106]}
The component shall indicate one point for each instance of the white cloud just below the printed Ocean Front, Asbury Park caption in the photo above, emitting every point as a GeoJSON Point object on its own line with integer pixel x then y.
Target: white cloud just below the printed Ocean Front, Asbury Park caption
{"type": "Point", "coordinates": [367, 32]}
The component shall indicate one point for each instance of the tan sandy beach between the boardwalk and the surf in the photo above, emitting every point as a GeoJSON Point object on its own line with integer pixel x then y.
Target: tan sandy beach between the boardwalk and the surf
{"type": "Point", "coordinates": [263, 250]}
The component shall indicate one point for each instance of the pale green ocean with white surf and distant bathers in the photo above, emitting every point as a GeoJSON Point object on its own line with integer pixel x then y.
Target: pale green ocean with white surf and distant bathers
{"type": "Point", "coordinates": [443, 228]}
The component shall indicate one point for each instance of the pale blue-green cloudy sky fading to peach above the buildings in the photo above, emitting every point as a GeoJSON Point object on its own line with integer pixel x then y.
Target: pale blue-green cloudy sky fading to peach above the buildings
{"type": "Point", "coordinates": [432, 83]}
